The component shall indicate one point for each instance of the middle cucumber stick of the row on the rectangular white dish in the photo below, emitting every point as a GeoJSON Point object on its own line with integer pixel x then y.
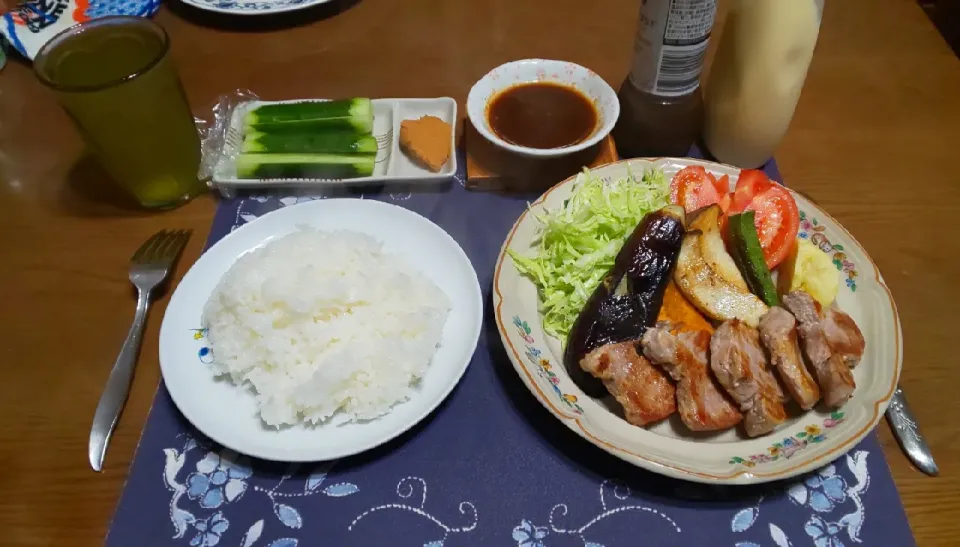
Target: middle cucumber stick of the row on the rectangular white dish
{"type": "Point", "coordinates": [306, 143]}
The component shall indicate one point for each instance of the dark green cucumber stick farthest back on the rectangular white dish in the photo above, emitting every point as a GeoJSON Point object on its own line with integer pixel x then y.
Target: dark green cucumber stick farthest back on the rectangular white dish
{"type": "Point", "coordinates": [354, 115]}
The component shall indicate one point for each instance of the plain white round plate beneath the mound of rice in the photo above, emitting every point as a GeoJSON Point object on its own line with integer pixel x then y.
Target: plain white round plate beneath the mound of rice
{"type": "Point", "coordinates": [228, 414]}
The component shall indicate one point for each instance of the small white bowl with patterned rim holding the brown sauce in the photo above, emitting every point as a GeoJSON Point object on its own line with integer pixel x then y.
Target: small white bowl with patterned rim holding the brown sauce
{"type": "Point", "coordinates": [582, 79]}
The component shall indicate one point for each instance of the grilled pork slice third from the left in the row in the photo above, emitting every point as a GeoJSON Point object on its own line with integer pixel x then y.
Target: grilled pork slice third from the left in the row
{"type": "Point", "coordinates": [740, 366]}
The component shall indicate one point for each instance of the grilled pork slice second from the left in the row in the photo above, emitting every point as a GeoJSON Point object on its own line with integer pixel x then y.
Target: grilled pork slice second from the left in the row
{"type": "Point", "coordinates": [683, 354]}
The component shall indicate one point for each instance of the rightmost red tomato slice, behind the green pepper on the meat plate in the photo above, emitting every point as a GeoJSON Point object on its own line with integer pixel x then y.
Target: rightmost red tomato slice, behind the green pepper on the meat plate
{"type": "Point", "coordinates": [776, 215]}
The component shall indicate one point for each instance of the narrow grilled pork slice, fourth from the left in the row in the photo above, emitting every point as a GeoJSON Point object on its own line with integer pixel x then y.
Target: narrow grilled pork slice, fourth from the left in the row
{"type": "Point", "coordinates": [778, 332]}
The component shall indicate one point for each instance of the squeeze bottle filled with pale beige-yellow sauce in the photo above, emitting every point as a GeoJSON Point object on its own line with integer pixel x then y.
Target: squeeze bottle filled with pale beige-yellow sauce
{"type": "Point", "coordinates": [754, 84]}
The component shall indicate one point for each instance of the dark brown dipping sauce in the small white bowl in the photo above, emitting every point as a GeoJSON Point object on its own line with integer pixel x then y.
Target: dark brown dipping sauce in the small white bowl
{"type": "Point", "coordinates": [541, 115]}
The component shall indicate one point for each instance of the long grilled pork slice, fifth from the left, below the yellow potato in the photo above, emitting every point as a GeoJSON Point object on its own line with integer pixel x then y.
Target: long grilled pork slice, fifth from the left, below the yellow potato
{"type": "Point", "coordinates": [833, 374]}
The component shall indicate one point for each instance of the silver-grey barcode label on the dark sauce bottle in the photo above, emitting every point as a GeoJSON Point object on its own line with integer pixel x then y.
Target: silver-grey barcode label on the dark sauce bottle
{"type": "Point", "coordinates": [670, 44]}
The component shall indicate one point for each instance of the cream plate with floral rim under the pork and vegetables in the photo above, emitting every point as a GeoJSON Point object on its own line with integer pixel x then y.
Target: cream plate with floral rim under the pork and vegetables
{"type": "Point", "coordinates": [807, 441]}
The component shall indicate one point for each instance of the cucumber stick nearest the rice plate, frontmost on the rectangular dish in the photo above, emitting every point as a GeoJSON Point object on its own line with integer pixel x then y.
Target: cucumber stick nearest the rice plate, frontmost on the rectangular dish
{"type": "Point", "coordinates": [327, 166]}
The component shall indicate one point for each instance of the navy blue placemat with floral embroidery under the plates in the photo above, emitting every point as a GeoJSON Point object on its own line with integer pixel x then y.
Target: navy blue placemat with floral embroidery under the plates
{"type": "Point", "coordinates": [489, 467]}
